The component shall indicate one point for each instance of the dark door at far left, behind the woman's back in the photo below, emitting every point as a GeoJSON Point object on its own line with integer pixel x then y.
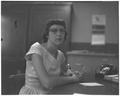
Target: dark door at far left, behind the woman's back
{"type": "Point", "coordinates": [13, 45]}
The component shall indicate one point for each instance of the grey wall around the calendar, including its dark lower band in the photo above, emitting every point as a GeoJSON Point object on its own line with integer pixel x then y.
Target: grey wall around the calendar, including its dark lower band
{"type": "Point", "coordinates": [82, 25]}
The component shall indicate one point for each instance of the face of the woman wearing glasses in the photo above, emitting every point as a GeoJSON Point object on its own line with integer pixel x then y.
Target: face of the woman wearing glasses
{"type": "Point", "coordinates": [56, 34]}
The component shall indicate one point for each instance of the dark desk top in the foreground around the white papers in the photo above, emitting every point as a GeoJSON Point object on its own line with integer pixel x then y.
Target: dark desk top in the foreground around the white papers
{"type": "Point", "coordinates": [109, 88]}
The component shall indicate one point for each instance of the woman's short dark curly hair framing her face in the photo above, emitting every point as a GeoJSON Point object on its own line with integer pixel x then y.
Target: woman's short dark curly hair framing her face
{"type": "Point", "coordinates": [49, 24]}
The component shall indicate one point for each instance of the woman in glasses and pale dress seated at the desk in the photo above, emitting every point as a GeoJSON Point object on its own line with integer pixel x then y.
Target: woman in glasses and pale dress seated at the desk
{"type": "Point", "coordinates": [45, 64]}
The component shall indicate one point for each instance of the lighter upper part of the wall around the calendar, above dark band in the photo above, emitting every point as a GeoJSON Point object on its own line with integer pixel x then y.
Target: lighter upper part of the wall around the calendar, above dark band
{"type": "Point", "coordinates": [82, 20]}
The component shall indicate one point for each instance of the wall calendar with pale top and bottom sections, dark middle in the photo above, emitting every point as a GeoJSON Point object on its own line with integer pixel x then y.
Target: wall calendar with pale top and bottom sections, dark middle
{"type": "Point", "coordinates": [98, 29]}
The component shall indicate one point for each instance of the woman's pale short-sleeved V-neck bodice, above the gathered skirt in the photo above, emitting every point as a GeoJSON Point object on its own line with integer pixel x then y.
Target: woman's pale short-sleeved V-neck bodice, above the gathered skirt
{"type": "Point", "coordinates": [52, 65]}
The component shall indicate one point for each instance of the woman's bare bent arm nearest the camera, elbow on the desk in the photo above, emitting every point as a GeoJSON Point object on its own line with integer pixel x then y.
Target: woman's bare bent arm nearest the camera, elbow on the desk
{"type": "Point", "coordinates": [50, 81]}
